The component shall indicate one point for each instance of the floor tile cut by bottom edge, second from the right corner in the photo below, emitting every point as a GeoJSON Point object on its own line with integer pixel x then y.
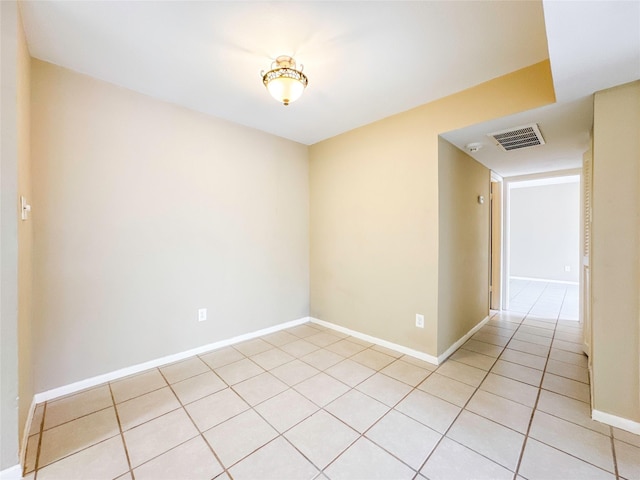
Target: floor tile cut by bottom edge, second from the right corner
{"type": "Point", "coordinates": [542, 462]}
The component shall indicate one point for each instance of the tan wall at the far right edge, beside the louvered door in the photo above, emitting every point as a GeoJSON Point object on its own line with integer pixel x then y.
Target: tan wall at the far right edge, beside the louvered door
{"type": "Point", "coordinates": [615, 267]}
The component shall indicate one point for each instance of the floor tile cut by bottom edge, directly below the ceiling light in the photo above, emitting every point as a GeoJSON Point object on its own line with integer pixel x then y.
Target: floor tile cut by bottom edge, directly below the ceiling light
{"type": "Point", "coordinates": [277, 460]}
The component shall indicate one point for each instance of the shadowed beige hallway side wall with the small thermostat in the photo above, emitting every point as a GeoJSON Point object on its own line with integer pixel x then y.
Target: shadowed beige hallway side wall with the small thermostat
{"type": "Point", "coordinates": [463, 266]}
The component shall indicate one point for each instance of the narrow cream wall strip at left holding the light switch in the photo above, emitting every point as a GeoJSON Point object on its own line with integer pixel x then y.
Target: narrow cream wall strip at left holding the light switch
{"type": "Point", "coordinates": [25, 235]}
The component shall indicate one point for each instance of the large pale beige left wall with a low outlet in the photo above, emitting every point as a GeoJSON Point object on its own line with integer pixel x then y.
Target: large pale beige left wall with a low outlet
{"type": "Point", "coordinates": [145, 212]}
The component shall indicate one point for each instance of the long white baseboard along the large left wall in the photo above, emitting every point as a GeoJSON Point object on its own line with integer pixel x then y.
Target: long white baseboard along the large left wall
{"type": "Point", "coordinates": [158, 362]}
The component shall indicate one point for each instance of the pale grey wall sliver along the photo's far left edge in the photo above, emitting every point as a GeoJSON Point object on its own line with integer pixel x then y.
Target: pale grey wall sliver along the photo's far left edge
{"type": "Point", "coordinates": [9, 147]}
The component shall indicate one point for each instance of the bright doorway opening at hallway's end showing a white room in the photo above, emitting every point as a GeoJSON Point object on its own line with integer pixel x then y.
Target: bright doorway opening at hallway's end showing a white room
{"type": "Point", "coordinates": [542, 245]}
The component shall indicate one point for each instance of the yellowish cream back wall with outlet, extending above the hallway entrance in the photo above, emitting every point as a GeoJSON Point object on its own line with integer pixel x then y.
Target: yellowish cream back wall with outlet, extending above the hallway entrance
{"type": "Point", "coordinates": [374, 210]}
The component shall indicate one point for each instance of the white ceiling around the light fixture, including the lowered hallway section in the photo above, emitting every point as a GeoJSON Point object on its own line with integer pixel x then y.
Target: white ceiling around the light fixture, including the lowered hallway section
{"type": "Point", "coordinates": [365, 60]}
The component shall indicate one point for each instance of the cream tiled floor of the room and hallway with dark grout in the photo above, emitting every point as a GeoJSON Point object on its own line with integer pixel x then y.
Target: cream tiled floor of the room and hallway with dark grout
{"type": "Point", "coordinates": [309, 402]}
